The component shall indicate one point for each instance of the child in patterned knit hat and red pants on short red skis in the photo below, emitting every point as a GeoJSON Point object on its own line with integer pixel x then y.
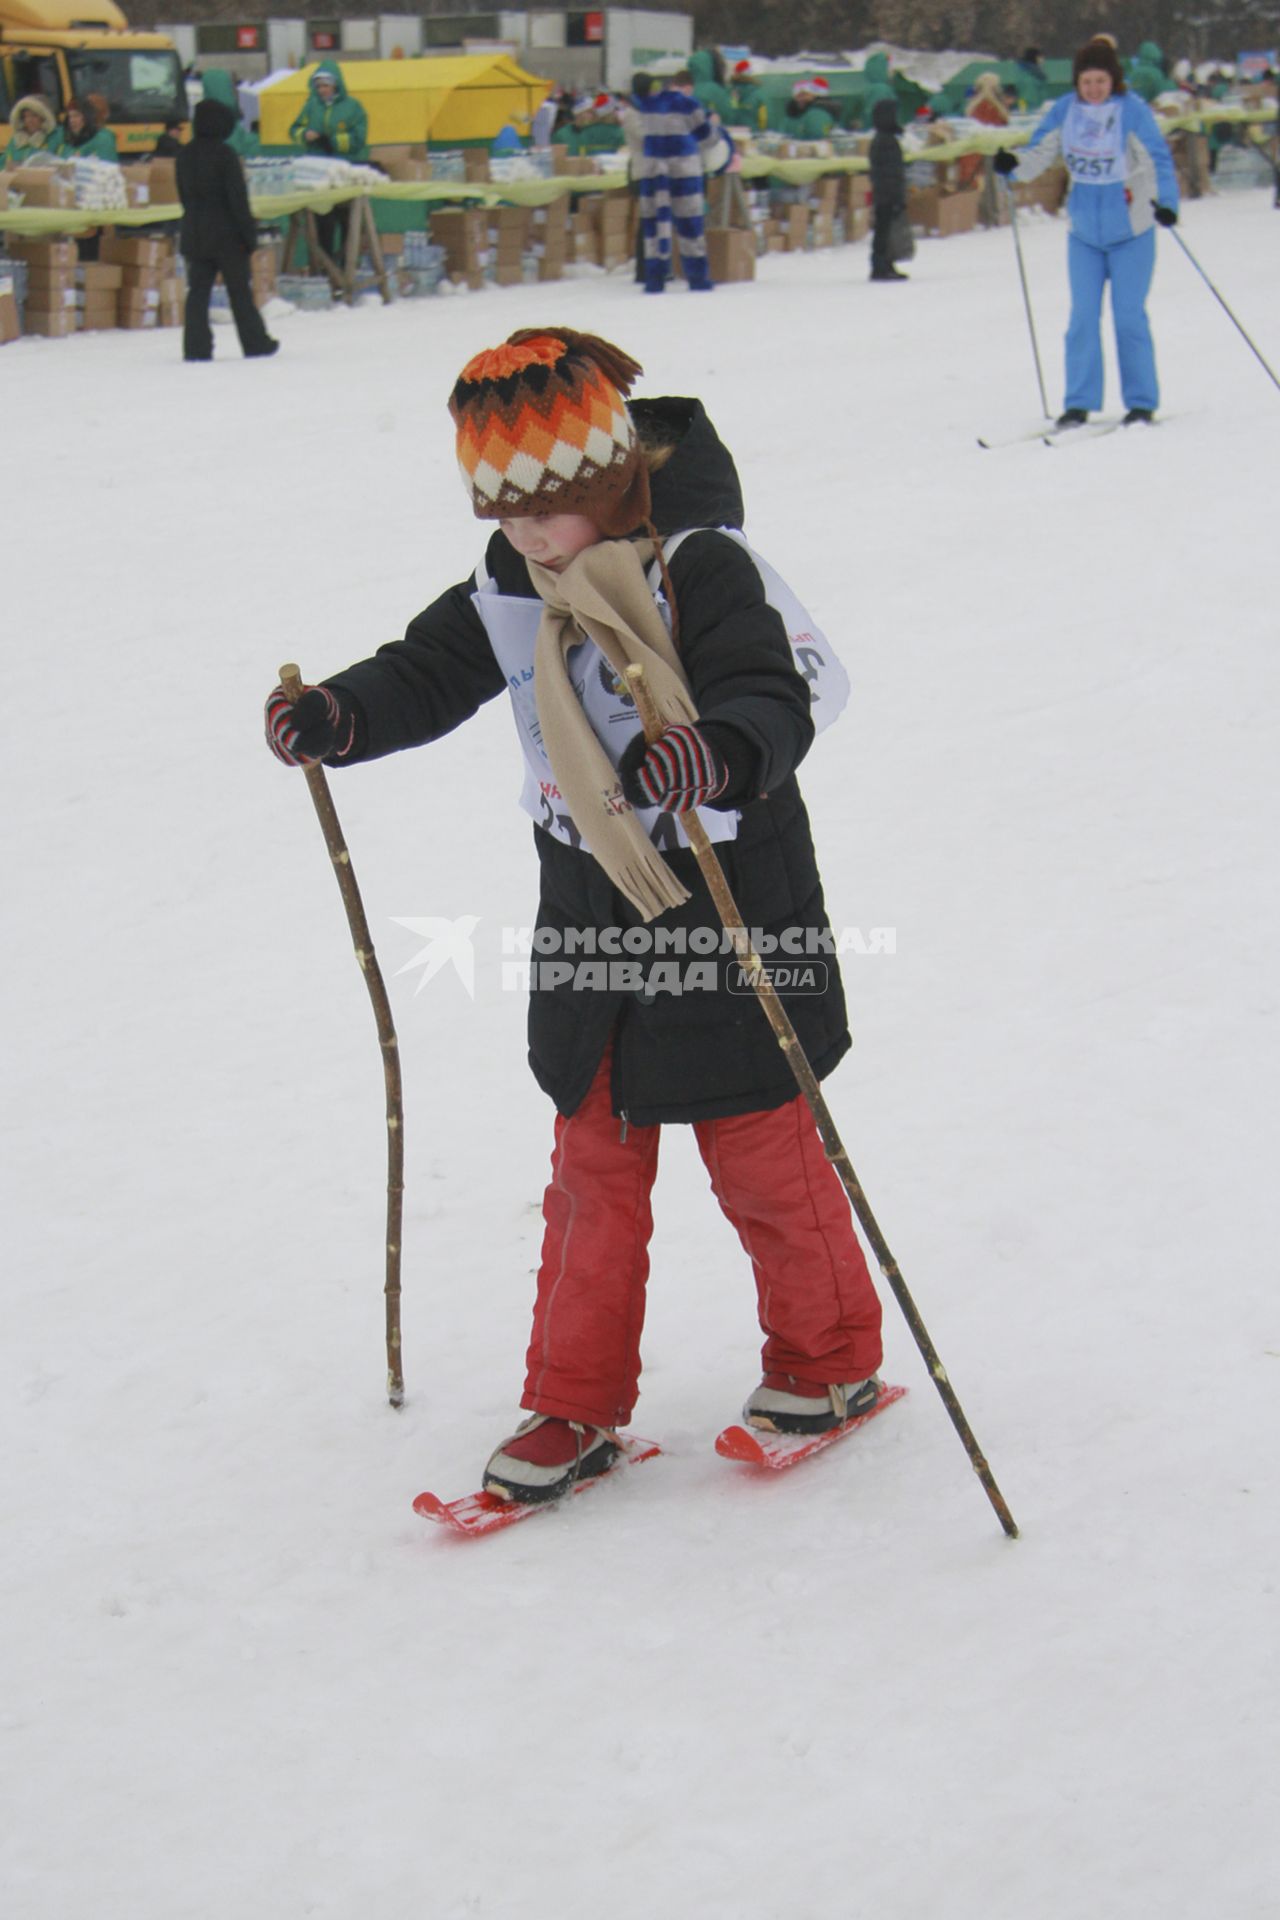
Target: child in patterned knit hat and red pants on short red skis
{"type": "Point", "coordinates": [619, 542]}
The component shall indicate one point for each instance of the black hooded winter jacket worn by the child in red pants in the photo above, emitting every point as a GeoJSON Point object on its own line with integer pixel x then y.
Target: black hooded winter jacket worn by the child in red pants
{"type": "Point", "coordinates": [698, 1055]}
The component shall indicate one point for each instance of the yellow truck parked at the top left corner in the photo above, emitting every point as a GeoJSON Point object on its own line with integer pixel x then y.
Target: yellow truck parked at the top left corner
{"type": "Point", "coordinates": [85, 47]}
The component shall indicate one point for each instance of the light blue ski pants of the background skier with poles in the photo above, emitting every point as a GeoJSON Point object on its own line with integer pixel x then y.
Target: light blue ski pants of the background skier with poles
{"type": "Point", "coordinates": [1129, 270]}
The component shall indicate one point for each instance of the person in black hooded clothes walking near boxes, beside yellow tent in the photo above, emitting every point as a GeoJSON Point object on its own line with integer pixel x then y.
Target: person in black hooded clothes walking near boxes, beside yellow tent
{"type": "Point", "coordinates": [218, 235]}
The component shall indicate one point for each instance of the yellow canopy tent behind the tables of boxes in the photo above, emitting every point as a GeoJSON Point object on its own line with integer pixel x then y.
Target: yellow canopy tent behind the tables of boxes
{"type": "Point", "coordinates": [446, 101]}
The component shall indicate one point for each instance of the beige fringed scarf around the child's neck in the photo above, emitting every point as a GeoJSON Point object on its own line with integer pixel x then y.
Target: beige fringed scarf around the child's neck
{"type": "Point", "coordinates": [605, 596]}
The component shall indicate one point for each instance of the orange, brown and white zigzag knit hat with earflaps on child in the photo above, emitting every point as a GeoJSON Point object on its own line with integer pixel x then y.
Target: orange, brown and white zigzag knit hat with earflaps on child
{"type": "Point", "coordinates": [544, 429]}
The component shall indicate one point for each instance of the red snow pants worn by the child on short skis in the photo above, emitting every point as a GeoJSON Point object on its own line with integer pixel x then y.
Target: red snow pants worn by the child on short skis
{"type": "Point", "coordinates": [818, 1308]}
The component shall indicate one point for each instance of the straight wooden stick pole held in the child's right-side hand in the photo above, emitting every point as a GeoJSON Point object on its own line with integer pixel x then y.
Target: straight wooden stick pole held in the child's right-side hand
{"type": "Point", "coordinates": [807, 1082]}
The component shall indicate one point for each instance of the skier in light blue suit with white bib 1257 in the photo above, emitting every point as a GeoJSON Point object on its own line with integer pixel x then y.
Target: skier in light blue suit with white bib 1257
{"type": "Point", "coordinates": [1122, 181]}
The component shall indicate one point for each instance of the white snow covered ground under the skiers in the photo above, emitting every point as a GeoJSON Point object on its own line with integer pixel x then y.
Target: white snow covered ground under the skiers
{"type": "Point", "coordinates": [243, 1677]}
